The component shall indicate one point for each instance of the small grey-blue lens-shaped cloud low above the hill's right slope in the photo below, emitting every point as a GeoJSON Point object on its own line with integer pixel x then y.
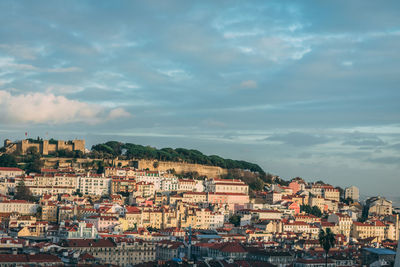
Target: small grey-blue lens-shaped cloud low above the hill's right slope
{"type": "Point", "coordinates": [298, 139]}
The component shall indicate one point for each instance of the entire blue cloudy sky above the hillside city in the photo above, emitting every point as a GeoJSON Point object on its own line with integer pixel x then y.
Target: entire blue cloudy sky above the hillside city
{"type": "Point", "coordinates": [303, 88]}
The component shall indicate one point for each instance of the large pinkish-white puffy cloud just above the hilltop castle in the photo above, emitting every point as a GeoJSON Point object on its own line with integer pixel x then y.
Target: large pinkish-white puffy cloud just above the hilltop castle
{"type": "Point", "coordinates": [49, 108]}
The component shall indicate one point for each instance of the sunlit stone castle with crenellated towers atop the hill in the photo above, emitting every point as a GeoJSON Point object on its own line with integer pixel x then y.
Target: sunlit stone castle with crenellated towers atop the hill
{"type": "Point", "coordinates": [44, 147]}
